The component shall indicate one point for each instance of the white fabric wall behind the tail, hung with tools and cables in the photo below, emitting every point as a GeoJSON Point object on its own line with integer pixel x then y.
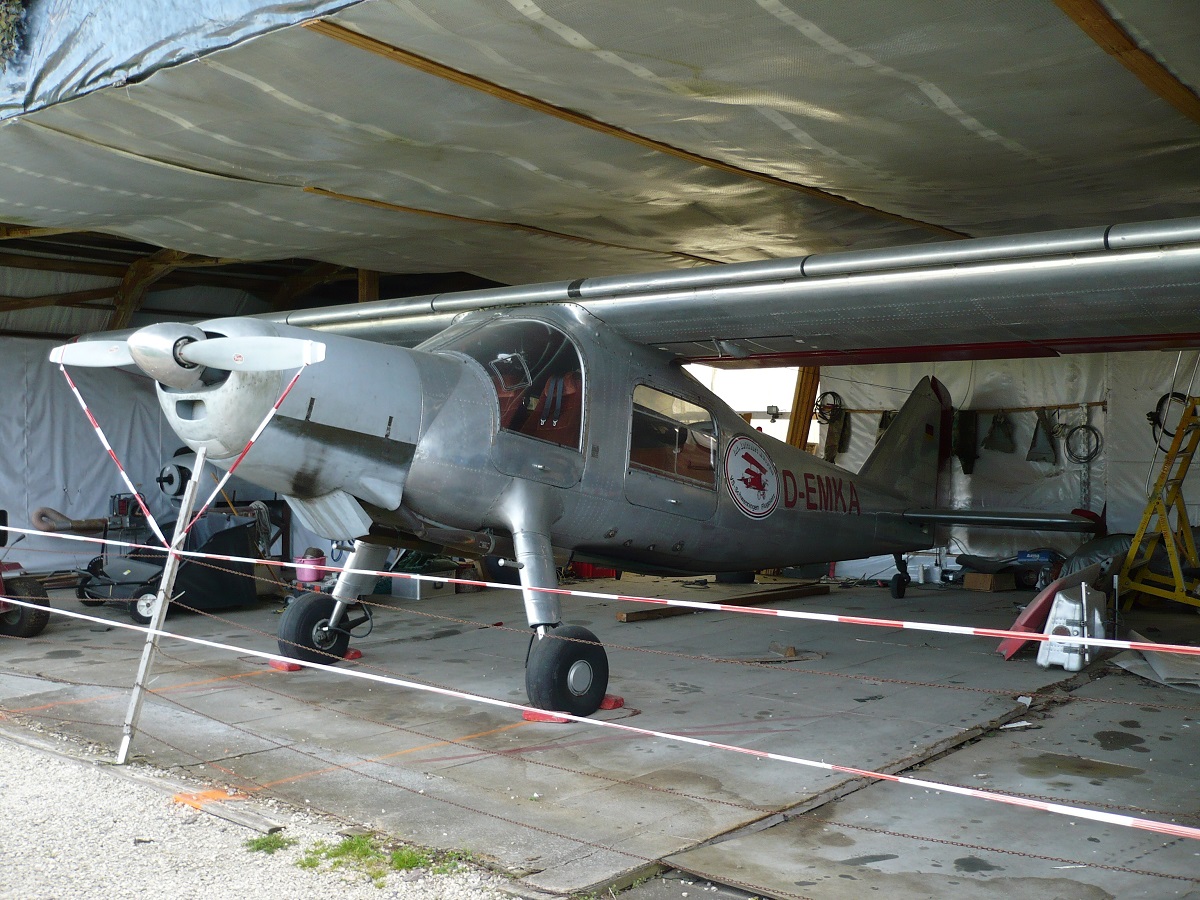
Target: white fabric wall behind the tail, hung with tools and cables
{"type": "Point", "coordinates": [1131, 385]}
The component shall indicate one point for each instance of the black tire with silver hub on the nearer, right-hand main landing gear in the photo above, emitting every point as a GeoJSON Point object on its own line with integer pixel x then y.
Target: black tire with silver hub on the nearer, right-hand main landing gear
{"type": "Point", "coordinates": [568, 671]}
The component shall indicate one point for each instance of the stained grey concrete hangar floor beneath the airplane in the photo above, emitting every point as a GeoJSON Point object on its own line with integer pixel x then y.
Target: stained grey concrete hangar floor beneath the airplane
{"type": "Point", "coordinates": [571, 808]}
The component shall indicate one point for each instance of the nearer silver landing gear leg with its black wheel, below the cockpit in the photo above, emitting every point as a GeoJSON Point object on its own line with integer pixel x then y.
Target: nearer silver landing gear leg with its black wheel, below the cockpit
{"type": "Point", "coordinates": [568, 668]}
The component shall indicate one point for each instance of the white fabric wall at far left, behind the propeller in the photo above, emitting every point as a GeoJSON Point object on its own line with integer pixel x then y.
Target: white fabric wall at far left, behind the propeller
{"type": "Point", "coordinates": [52, 457]}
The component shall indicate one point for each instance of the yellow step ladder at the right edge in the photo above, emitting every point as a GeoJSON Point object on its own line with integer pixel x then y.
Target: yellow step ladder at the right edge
{"type": "Point", "coordinates": [1166, 524]}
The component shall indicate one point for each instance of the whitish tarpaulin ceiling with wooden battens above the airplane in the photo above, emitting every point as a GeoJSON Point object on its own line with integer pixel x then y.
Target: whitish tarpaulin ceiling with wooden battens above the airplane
{"type": "Point", "coordinates": [527, 141]}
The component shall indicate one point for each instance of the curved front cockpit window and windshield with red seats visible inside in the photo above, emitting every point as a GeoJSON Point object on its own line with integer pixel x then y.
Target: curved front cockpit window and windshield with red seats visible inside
{"type": "Point", "coordinates": [538, 377]}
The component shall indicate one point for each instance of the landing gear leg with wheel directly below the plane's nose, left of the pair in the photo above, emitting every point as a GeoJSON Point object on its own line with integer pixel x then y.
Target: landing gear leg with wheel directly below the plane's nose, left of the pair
{"type": "Point", "coordinates": [315, 627]}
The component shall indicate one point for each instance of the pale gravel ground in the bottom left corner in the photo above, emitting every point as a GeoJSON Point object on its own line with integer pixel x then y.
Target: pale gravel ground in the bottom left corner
{"type": "Point", "coordinates": [74, 829]}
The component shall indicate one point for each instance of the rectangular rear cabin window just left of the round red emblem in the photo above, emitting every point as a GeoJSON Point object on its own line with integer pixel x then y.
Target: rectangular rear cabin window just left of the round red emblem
{"type": "Point", "coordinates": [674, 437]}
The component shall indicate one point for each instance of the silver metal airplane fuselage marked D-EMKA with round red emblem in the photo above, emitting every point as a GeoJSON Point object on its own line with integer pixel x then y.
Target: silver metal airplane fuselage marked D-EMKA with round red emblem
{"type": "Point", "coordinates": [538, 419]}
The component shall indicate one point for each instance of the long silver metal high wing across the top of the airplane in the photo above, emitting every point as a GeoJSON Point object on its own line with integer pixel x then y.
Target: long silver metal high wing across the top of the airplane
{"type": "Point", "coordinates": [1123, 287]}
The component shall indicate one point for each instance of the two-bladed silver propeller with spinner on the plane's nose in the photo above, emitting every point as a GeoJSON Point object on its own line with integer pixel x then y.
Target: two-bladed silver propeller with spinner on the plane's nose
{"type": "Point", "coordinates": [176, 355]}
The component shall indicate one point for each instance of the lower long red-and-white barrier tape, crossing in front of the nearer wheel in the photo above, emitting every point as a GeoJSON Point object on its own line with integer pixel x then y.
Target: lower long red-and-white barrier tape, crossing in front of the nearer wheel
{"type": "Point", "coordinates": [1147, 825]}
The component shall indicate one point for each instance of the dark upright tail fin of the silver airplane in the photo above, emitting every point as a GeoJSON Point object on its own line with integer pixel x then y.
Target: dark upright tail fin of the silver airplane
{"type": "Point", "coordinates": [910, 455]}
